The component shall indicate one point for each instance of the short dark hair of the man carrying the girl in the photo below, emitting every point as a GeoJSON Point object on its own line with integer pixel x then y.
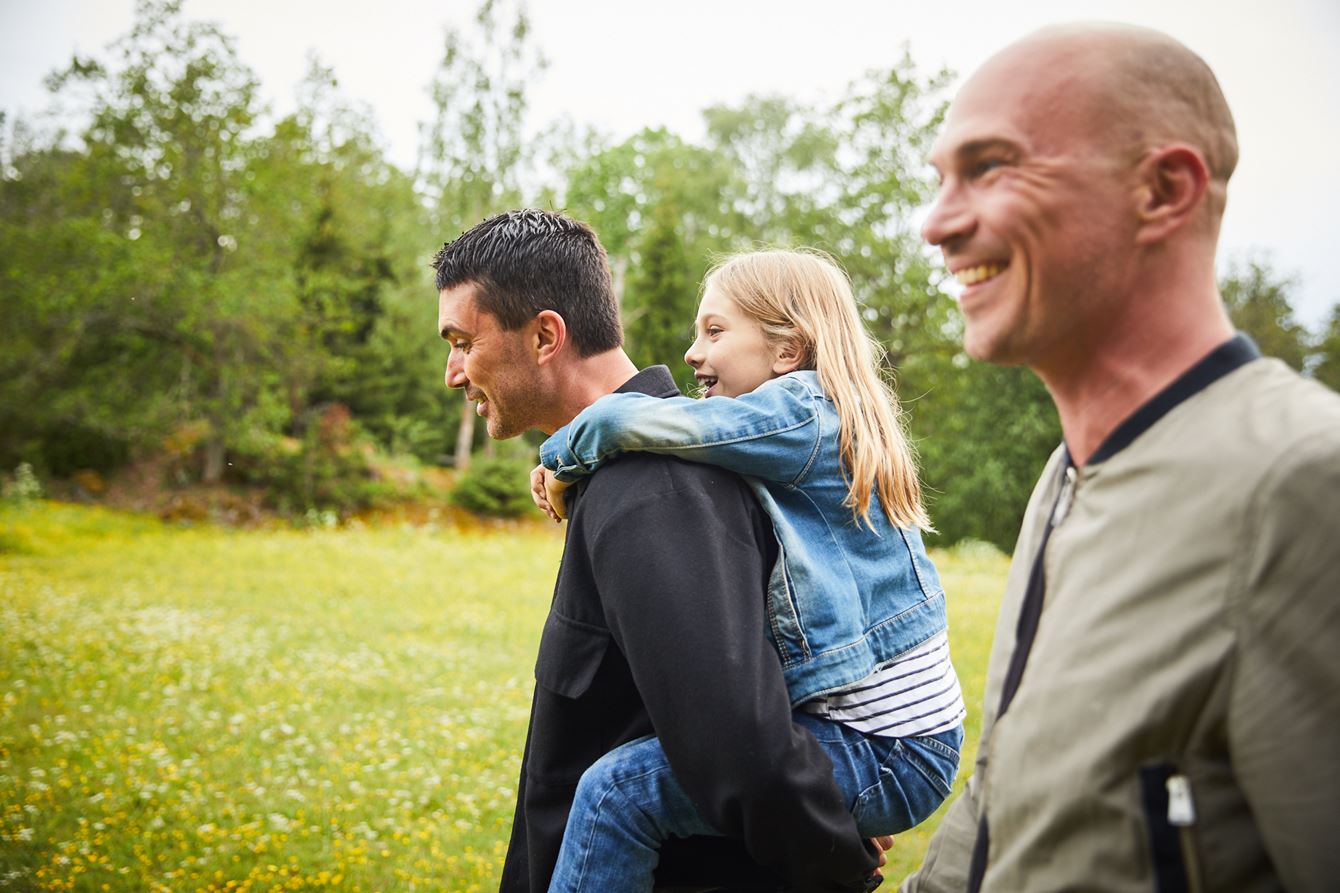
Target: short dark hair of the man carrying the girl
{"type": "Point", "coordinates": [525, 262]}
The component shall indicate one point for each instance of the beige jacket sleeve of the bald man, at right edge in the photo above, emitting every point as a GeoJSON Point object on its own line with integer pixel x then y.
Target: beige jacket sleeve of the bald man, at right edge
{"type": "Point", "coordinates": [1284, 715]}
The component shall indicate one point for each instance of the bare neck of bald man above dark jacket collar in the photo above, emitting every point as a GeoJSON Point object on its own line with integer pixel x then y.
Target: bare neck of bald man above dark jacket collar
{"type": "Point", "coordinates": [1136, 360]}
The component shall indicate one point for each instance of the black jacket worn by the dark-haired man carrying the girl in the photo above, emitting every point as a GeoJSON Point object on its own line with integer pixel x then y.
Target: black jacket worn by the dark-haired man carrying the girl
{"type": "Point", "coordinates": [659, 628]}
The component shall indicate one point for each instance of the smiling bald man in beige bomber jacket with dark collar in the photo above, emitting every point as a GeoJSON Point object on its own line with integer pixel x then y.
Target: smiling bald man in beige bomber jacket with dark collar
{"type": "Point", "coordinates": [1162, 706]}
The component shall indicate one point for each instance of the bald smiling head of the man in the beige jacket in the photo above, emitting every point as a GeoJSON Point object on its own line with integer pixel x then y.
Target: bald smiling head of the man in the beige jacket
{"type": "Point", "coordinates": [1083, 179]}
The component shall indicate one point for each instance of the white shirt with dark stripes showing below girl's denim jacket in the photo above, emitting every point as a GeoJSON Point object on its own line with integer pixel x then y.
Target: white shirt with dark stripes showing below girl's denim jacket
{"type": "Point", "coordinates": [916, 695]}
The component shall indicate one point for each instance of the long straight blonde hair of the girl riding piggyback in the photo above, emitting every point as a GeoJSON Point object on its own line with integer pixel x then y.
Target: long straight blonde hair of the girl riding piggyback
{"type": "Point", "coordinates": [805, 298]}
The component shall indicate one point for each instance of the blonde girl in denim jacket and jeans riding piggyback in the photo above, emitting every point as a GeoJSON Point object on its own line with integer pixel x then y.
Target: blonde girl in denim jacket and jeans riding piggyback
{"type": "Point", "coordinates": [856, 607]}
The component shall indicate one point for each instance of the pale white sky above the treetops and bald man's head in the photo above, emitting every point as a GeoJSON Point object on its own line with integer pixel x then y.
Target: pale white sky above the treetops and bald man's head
{"type": "Point", "coordinates": [622, 65]}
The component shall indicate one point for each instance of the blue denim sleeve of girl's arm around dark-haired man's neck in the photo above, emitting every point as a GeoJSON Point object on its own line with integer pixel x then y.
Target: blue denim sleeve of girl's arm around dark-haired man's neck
{"type": "Point", "coordinates": [771, 434]}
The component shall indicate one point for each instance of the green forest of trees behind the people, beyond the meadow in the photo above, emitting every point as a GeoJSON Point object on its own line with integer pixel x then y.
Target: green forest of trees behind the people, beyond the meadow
{"type": "Point", "coordinates": [230, 314]}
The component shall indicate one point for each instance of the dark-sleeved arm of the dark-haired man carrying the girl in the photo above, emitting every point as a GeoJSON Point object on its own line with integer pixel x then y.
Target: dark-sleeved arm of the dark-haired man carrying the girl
{"type": "Point", "coordinates": [683, 581]}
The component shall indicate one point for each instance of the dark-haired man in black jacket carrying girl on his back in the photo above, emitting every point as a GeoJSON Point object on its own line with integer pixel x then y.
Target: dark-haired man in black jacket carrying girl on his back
{"type": "Point", "coordinates": [659, 617]}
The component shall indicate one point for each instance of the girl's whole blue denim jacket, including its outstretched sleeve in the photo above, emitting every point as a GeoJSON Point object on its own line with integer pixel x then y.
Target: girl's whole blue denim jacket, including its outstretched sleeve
{"type": "Point", "coordinates": [844, 600]}
